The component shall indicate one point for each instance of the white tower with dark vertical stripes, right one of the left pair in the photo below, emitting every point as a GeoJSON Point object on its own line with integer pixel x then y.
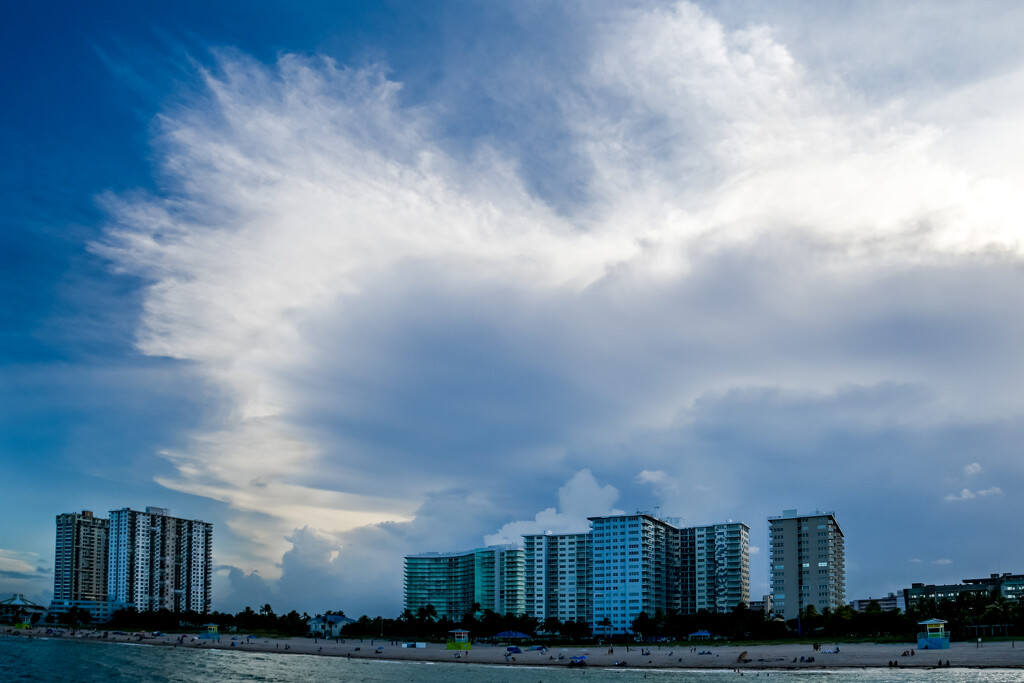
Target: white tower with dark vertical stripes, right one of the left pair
{"type": "Point", "coordinates": [160, 563]}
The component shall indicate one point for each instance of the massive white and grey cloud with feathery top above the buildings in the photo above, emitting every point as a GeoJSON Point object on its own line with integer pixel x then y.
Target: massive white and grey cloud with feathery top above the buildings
{"type": "Point", "coordinates": [765, 266]}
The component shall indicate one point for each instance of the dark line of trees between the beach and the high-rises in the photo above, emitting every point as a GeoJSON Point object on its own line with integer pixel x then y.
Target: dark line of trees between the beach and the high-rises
{"type": "Point", "coordinates": [967, 612]}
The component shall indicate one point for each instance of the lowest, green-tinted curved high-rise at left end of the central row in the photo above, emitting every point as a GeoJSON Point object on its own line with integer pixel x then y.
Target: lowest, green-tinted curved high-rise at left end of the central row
{"type": "Point", "coordinates": [452, 583]}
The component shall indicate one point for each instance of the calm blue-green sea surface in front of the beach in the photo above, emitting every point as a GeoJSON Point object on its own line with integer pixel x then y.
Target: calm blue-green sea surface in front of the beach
{"type": "Point", "coordinates": [77, 662]}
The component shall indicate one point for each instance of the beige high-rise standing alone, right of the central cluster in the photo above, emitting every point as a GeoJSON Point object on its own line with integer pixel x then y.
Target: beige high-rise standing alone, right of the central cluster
{"type": "Point", "coordinates": [808, 563]}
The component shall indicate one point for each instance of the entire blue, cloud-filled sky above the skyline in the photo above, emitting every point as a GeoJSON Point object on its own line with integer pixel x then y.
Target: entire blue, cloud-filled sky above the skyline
{"type": "Point", "coordinates": [354, 281]}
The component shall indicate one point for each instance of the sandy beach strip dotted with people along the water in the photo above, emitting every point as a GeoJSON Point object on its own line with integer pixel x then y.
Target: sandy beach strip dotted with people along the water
{"type": "Point", "coordinates": [852, 656]}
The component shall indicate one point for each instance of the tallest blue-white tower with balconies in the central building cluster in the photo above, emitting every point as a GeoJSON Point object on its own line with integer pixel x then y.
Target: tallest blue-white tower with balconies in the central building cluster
{"type": "Point", "coordinates": [636, 569]}
